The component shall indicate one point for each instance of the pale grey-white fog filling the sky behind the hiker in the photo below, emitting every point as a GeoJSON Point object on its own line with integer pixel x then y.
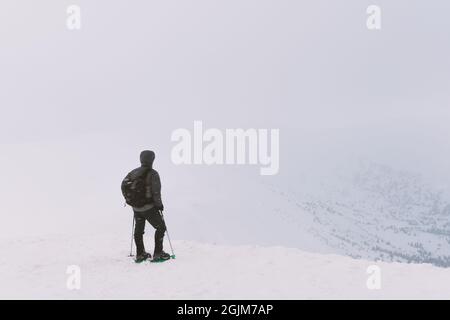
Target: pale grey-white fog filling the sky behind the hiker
{"type": "Point", "coordinates": [77, 107]}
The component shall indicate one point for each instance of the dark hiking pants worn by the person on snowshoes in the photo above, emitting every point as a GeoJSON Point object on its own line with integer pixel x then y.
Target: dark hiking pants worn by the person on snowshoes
{"type": "Point", "coordinates": [154, 218]}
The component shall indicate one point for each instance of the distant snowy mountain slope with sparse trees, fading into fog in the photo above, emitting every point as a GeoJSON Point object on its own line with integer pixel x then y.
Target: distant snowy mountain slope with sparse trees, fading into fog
{"type": "Point", "coordinates": [379, 213]}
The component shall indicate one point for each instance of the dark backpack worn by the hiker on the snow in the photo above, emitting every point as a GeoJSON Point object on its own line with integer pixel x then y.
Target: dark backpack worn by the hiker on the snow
{"type": "Point", "coordinates": [134, 188]}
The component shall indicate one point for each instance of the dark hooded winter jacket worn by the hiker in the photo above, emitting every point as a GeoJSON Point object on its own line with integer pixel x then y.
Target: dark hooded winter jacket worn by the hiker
{"type": "Point", "coordinates": [153, 182]}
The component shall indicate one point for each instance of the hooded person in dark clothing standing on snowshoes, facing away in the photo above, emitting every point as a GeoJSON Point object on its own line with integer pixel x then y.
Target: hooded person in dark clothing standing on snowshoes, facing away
{"type": "Point", "coordinates": [148, 207]}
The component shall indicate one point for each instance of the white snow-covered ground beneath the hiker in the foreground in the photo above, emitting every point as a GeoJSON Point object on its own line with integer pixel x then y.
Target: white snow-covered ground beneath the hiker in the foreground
{"type": "Point", "coordinates": [35, 268]}
